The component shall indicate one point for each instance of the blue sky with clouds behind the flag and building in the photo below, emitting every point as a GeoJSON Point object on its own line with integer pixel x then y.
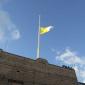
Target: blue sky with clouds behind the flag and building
{"type": "Point", "coordinates": [65, 44]}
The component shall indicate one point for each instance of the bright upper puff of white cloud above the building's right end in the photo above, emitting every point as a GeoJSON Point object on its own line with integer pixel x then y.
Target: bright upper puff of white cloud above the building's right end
{"type": "Point", "coordinates": [69, 57]}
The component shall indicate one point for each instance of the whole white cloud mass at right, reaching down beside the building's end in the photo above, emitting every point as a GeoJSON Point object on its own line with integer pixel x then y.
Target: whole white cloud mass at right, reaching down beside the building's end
{"type": "Point", "coordinates": [69, 57]}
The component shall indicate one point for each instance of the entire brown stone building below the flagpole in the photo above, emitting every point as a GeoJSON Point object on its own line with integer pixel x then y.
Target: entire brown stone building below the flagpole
{"type": "Point", "coordinates": [18, 70]}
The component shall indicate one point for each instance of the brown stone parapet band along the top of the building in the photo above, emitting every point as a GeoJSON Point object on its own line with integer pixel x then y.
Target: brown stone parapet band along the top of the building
{"type": "Point", "coordinates": [39, 64]}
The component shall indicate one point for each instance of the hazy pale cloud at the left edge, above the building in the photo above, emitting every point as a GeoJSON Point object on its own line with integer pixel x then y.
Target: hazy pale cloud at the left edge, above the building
{"type": "Point", "coordinates": [8, 30]}
